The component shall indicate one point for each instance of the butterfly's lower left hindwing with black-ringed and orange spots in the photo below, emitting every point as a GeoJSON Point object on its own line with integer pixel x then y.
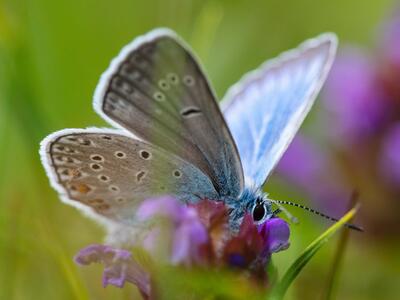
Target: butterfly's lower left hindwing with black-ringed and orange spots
{"type": "Point", "coordinates": [112, 173]}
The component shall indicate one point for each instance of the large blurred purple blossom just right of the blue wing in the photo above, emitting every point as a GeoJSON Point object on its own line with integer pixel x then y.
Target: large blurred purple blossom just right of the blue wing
{"type": "Point", "coordinates": [354, 98]}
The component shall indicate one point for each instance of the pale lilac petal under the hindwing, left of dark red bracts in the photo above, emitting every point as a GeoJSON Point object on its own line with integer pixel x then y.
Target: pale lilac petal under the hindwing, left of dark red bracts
{"type": "Point", "coordinates": [190, 236]}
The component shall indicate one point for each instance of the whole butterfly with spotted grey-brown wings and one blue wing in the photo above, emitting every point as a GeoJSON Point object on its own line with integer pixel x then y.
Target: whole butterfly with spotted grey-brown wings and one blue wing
{"type": "Point", "coordinates": [172, 137]}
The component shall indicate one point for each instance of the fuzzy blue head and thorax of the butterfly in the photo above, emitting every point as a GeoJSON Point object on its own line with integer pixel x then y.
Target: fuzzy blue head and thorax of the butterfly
{"type": "Point", "coordinates": [247, 202]}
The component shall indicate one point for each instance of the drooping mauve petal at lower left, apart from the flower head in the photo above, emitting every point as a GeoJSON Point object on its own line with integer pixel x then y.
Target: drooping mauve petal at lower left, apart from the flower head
{"type": "Point", "coordinates": [119, 267]}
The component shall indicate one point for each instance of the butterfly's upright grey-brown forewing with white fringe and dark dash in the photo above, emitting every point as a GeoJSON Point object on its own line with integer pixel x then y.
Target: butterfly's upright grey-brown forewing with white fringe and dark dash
{"type": "Point", "coordinates": [156, 90]}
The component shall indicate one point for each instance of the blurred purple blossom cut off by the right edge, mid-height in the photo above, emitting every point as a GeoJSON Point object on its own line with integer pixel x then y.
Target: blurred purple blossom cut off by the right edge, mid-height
{"type": "Point", "coordinates": [390, 155]}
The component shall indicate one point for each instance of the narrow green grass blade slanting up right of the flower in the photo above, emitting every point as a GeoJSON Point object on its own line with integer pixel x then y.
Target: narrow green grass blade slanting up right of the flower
{"type": "Point", "coordinates": [279, 290]}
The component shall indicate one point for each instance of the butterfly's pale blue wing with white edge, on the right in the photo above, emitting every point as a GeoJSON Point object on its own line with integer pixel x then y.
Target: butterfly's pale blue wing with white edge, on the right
{"type": "Point", "coordinates": [265, 109]}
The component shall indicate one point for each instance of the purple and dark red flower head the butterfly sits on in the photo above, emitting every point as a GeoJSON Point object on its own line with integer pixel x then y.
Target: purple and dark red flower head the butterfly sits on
{"type": "Point", "coordinates": [200, 236]}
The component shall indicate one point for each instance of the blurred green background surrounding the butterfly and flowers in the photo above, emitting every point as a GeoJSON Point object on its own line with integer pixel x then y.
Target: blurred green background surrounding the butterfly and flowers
{"type": "Point", "coordinates": [51, 56]}
